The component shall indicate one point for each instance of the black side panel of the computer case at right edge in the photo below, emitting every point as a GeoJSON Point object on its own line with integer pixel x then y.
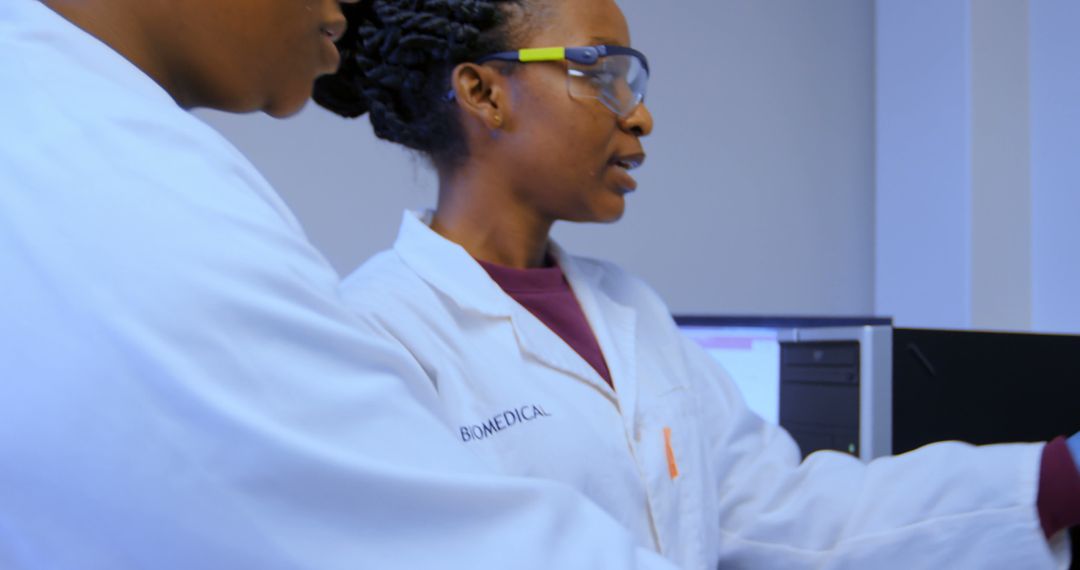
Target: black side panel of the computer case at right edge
{"type": "Point", "coordinates": [983, 388]}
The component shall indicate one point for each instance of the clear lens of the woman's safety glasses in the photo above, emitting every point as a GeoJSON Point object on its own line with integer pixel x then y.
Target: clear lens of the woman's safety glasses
{"type": "Point", "coordinates": [619, 82]}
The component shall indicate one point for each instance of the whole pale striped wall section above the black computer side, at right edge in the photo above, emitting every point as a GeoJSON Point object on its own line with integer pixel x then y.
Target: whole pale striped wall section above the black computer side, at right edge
{"type": "Point", "coordinates": [978, 183]}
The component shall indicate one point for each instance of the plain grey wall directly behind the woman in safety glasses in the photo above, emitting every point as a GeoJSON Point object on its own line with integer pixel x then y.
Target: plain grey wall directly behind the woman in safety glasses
{"type": "Point", "coordinates": [759, 193]}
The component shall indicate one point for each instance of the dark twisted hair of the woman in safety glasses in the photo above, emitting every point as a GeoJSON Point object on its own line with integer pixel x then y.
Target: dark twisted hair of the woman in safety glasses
{"type": "Point", "coordinates": [398, 57]}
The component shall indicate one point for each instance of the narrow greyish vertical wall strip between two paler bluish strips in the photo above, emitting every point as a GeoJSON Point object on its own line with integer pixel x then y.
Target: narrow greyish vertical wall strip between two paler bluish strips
{"type": "Point", "coordinates": [1001, 167]}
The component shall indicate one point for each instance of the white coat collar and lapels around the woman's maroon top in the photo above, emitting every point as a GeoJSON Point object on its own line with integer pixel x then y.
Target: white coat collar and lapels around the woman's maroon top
{"type": "Point", "coordinates": [451, 270]}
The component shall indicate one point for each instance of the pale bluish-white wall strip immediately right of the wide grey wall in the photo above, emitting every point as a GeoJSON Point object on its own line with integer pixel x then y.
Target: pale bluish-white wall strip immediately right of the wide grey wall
{"type": "Point", "coordinates": [924, 158]}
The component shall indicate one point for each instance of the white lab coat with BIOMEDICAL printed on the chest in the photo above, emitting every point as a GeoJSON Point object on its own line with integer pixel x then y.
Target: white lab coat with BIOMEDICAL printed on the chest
{"type": "Point", "coordinates": [516, 393]}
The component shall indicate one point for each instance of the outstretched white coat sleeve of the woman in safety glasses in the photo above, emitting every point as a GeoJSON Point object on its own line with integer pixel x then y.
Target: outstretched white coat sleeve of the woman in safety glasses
{"type": "Point", "coordinates": [947, 506]}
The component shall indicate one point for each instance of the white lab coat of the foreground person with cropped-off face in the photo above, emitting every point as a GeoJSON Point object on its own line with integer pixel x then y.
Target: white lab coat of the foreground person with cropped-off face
{"type": "Point", "coordinates": [181, 386]}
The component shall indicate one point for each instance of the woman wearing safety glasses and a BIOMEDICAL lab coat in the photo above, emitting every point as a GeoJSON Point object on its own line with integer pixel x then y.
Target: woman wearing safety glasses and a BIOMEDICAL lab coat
{"type": "Point", "coordinates": [559, 368]}
